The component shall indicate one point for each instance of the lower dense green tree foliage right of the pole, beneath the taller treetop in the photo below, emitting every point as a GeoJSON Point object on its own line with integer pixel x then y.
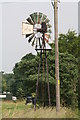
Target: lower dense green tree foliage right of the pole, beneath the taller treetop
{"type": "Point", "coordinates": [69, 79]}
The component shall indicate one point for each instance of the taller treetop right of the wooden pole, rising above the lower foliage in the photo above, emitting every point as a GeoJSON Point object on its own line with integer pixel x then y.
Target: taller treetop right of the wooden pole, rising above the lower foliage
{"type": "Point", "coordinates": [69, 43]}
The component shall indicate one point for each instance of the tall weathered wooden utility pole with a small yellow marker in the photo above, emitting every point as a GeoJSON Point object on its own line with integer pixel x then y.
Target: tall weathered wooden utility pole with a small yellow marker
{"type": "Point", "coordinates": [56, 56]}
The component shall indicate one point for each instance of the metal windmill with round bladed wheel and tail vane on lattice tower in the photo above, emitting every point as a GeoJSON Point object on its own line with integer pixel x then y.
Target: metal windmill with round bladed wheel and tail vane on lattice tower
{"type": "Point", "coordinates": [37, 31]}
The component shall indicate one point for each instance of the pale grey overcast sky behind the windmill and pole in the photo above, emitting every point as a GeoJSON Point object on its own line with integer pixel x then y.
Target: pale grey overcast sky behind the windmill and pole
{"type": "Point", "coordinates": [13, 46]}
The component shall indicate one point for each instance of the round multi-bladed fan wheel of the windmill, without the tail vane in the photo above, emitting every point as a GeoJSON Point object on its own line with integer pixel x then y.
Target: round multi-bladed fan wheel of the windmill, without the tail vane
{"type": "Point", "coordinates": [41, 25]}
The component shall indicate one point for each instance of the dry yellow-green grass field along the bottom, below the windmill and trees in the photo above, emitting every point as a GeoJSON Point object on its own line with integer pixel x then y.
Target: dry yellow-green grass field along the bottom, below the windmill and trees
{"type": "Point", "coordinates": [20, 110]}
